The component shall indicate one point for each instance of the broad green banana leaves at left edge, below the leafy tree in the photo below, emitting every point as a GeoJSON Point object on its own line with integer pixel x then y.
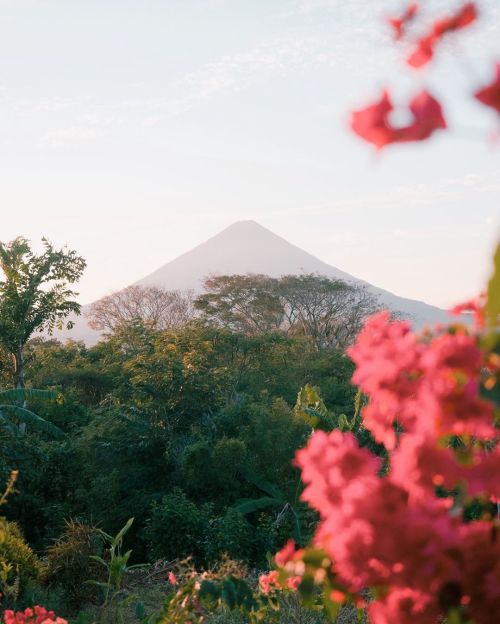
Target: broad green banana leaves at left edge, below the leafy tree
{"type": "Point", "coordinates": [15, 416]}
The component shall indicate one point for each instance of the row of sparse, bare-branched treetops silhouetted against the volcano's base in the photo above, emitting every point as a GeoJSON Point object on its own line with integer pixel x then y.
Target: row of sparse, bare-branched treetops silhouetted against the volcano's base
{"type": "Point", "coordinates": [329, 312]}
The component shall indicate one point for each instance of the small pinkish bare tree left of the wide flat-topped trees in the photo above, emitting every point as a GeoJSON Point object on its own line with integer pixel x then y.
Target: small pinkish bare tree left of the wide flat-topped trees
{"type": "Point", "coordinates": [158, 307]}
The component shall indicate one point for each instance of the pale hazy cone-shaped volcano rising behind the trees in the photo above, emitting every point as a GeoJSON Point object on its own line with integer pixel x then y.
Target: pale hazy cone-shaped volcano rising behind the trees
{"type": "Point", "coordinates": [248, 247]}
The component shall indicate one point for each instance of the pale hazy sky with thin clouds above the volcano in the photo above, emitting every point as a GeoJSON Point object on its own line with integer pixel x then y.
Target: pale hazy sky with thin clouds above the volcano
{"type": "Point", "coordinates": [132, 130]}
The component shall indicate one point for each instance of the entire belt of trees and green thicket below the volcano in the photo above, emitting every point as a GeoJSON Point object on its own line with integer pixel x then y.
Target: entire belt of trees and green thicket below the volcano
{"type": "Point", "coordinates": [182, 416]}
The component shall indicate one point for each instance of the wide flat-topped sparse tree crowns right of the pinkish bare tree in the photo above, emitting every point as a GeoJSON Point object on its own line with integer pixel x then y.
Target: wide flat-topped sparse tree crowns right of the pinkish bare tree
{"type": "Point", "coordinates": [328, 311]}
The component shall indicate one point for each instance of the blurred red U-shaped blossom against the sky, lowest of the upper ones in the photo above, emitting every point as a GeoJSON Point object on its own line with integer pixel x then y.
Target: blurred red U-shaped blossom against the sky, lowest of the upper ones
{"type": "Point", "coordinates": [372, 123]}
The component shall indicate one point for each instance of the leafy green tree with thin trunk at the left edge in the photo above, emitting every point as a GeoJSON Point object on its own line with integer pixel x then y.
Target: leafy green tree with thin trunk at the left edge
{"type": "Point", "coordinates": [35, 295]}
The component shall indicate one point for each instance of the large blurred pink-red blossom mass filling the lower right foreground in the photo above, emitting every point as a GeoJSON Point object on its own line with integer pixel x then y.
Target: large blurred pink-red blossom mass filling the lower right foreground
{"type": "Point", "coordinates": [393, 533]}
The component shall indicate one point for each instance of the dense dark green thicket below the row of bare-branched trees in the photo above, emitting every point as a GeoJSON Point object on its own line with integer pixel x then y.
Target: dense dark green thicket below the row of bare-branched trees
{"type": "Point", "coordinates": [173, 427]}
